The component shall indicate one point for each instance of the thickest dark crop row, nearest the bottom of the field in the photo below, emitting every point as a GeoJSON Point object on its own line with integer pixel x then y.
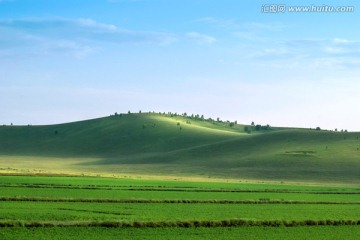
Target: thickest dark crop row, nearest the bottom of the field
{"type": "Point", "coordinates": [184, 224]}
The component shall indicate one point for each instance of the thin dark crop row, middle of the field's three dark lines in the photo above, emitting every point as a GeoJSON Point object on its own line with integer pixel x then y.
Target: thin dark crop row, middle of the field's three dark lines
{"type": "Point", "coordinates": [189, 201]}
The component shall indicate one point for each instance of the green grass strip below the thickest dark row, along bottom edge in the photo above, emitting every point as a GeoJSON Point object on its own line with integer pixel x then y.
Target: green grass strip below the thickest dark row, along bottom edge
{"type": "Point", "coordinates": [228, 233]}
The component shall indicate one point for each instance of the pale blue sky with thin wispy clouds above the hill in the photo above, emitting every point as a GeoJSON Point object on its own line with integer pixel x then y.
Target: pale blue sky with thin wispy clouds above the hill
{"type": "Point", "coordinates": [249, 60]}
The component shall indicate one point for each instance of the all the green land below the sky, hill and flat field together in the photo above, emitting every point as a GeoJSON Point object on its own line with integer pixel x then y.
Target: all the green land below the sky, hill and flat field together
{"type": "Point", "coordinates": [165, 176]}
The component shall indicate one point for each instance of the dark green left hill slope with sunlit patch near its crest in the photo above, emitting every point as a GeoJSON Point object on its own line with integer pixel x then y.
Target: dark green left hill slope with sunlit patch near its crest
{"type": "Point", "coordinates": [110, 136]}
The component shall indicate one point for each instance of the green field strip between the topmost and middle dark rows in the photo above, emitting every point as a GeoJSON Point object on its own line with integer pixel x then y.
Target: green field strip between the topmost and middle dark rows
{"type": "Point", "coordinates": [126, 194]}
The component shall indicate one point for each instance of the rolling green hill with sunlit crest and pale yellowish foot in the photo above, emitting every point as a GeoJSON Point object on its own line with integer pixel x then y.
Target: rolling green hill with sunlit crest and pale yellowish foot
{"type": "Point", "coordinates": [163, 144]}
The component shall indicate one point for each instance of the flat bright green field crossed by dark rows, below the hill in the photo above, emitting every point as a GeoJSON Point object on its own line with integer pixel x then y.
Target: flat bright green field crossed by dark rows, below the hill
{"type": "Point", "coordinates": [61, 207]}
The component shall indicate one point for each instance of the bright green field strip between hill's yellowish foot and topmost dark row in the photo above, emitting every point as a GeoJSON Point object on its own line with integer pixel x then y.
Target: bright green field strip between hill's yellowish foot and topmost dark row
{"type": "Point", "coordinates": [176, 183]}
